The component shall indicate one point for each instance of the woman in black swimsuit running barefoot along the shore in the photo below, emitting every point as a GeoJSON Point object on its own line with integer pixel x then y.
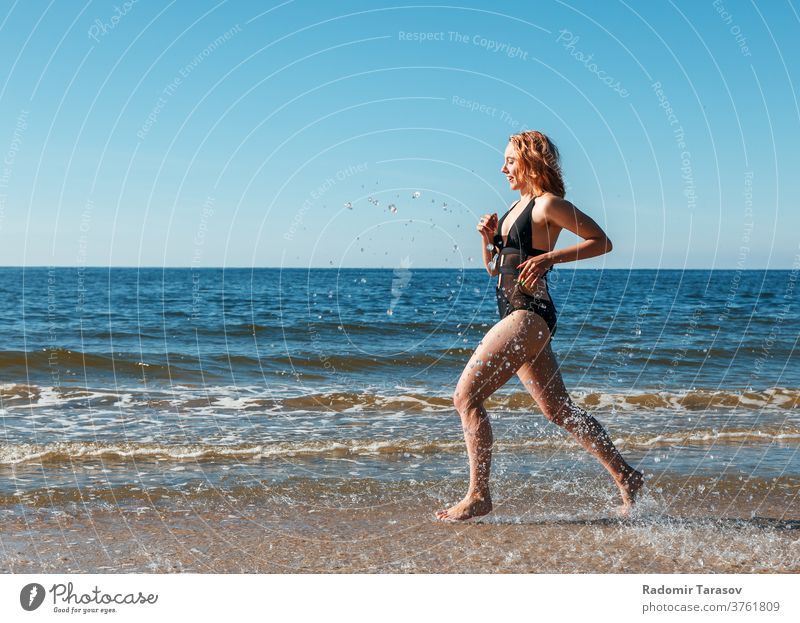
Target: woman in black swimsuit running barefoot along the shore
{"type": "Point", "coordinates": [521, 253]}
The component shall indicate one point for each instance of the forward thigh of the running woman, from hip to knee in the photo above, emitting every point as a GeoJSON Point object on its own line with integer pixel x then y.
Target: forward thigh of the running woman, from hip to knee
{"type": "Point", "coordinates": [517, 338]}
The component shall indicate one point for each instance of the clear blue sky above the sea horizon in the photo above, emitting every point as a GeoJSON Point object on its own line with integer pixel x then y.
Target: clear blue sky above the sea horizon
{"type": "Point", "coordinates": [149, 133]}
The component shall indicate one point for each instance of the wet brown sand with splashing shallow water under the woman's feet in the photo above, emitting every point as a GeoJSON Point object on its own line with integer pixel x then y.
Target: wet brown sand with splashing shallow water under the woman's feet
{"type": "Point", "coordinates": [363, 528]}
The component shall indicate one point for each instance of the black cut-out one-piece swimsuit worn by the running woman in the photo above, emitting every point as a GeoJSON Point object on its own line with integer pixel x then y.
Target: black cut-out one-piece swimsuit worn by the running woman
{"type": "Point", "coordinates": [517, 250]}
